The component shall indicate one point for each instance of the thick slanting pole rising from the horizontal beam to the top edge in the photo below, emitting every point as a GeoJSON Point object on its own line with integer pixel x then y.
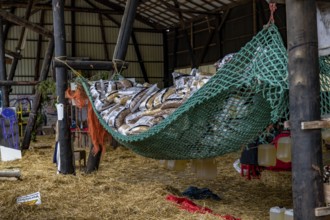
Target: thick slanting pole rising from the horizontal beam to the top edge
{"type": "Point", "coordinates": [125, 30]}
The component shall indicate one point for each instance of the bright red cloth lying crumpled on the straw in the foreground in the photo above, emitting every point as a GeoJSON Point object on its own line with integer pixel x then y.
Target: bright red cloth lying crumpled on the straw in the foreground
{"type": "Point", "coordinates": [190, 206]}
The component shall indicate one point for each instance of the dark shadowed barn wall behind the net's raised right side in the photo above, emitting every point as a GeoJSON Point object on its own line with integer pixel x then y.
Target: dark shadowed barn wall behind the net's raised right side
{"type": "Point", "coordinates": [237, 30]}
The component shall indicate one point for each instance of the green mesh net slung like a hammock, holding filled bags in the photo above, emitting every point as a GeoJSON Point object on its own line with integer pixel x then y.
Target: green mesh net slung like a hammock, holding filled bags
{"type": "Point", "coordinates": [231, 110]}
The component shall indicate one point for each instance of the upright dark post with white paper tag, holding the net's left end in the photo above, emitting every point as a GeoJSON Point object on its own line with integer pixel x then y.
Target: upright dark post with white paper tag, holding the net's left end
{"type": "Point", "coordinates": [64, 137]}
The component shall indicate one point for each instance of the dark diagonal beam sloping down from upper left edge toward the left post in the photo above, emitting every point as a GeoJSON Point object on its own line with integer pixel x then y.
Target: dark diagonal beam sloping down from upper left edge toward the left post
{"type": "Point", "coordinates": [22, 22]}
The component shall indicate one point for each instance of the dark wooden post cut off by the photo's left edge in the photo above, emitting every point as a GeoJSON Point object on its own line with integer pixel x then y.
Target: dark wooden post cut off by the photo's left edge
{"type": "Point", "coordinates": [3, 75]}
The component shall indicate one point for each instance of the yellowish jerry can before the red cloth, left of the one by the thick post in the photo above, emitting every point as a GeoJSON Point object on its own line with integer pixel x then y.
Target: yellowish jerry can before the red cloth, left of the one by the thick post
{"type": "Point", "coordinates": [266, 155]}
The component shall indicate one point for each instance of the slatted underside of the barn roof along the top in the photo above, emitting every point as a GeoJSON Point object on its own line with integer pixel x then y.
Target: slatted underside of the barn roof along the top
{"type": "Point", "coordinates": [158, 14]}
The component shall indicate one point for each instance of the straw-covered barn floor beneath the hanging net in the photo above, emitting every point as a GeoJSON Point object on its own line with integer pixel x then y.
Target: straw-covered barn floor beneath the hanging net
{"type": "Point", "coordinates": [128, 186]}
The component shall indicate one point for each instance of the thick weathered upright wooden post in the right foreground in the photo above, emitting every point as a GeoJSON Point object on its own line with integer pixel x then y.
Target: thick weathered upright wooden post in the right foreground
{"type": "Point", "coordinates": [307, 184]}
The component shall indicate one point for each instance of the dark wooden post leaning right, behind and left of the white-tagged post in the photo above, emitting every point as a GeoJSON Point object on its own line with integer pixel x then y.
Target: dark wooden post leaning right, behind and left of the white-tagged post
{"type": "Point", "coordinates": [37, 97]}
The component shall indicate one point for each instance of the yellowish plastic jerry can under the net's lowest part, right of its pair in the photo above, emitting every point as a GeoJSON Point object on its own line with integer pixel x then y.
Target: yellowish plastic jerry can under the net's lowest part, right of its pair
{"type": "Point", "coordinates": [205, 168]}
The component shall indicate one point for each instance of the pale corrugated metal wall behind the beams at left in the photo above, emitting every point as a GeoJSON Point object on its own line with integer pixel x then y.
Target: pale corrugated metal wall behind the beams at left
{"type": "Point", "coordinates": [88, 44]}
